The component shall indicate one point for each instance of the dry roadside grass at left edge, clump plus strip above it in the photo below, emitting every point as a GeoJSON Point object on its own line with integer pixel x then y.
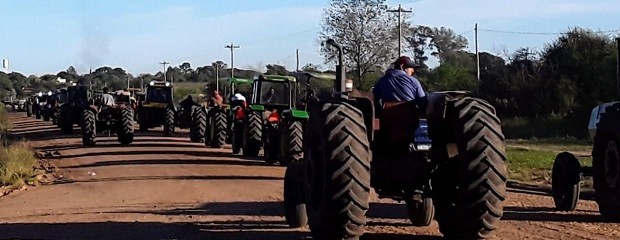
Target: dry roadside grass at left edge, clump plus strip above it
{"type": "Point", "coordinates": [17, 160]}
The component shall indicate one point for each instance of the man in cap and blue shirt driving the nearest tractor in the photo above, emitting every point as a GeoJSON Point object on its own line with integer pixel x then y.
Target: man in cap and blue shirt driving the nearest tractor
{"type": "Point", "coordinates": [399, 85]}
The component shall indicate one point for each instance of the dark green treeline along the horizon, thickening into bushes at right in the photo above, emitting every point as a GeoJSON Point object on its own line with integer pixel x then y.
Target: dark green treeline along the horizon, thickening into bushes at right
{"type": "Point", "coordinates": [554, 88]}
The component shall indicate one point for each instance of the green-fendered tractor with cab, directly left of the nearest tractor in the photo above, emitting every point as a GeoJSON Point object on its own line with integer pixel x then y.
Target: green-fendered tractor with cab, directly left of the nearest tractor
{"type": "Point", "coordinates": [273, 121]}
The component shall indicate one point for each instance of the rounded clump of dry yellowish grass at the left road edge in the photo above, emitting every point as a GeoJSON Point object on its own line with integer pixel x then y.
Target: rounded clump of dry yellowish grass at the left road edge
{"type": "Point", "coordinates": [17, 165]}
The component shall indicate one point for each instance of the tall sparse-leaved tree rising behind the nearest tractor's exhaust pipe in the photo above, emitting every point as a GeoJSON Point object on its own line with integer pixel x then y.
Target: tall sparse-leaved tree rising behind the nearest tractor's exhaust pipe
{"type": "Point", "coordinates": [364, 29]}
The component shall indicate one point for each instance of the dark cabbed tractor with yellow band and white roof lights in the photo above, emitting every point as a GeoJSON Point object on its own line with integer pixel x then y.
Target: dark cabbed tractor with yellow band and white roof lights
{"type": "Point", "coordinates": [158, 108]}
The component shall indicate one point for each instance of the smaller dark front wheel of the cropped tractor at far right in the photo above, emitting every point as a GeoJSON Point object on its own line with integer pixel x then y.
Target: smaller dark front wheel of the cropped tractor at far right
{"type": "Point", "coordinates": [565, 179]}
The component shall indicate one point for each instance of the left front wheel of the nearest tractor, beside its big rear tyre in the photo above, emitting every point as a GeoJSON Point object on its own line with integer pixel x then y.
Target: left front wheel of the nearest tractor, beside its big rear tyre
{"type": "Point", "coordinates": [295, 195]}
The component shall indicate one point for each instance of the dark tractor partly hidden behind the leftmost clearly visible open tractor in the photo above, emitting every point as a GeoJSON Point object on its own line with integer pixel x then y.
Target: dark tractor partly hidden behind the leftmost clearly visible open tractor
{"type": "Point", "coordinates": [78, 99]}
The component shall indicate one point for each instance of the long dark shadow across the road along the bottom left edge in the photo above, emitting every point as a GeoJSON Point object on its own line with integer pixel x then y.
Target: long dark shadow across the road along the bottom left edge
{"type": "Point", "coordinates": [149, 230]}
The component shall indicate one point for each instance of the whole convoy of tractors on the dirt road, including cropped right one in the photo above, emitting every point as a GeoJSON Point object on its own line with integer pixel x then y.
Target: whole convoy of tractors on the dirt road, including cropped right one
{"type": "Point", "coordinates": [447, 163]}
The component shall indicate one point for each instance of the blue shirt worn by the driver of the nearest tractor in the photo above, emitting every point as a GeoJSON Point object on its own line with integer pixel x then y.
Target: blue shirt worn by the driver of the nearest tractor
{"type": "Point", "coordinates": [397, 86]}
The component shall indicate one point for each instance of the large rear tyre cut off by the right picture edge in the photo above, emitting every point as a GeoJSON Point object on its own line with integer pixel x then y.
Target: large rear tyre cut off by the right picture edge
{"type": "Point", "coordinates": [606, 164]}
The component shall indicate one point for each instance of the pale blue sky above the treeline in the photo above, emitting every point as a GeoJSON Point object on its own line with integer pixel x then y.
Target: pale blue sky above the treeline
{"type": "Point", "coordinates": [39, 37]}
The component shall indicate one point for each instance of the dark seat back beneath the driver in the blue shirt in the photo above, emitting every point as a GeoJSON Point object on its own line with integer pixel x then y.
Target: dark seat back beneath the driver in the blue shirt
{"type": "Point", "coordinates": [398, 122]}
